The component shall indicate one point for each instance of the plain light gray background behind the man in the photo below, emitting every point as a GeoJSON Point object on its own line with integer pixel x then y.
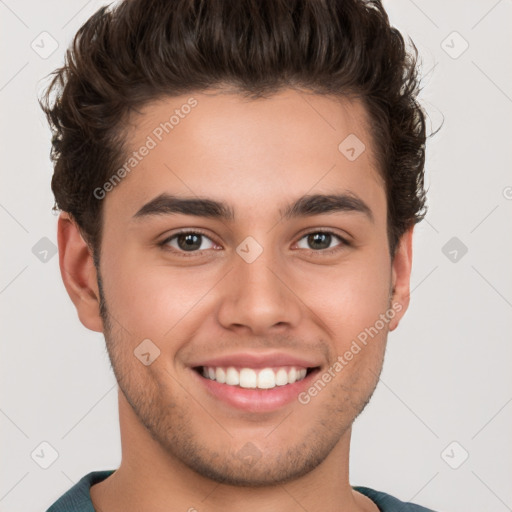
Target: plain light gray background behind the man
{"type": "Point", "coordinates": [447, 376]}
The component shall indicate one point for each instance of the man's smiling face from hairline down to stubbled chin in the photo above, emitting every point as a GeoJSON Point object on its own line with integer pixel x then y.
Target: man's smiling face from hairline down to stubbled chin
{"type": "Point", "coordinates": [249, 283]}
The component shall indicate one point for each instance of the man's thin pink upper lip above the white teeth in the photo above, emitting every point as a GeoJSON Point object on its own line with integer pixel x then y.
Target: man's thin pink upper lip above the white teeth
{"type": "Point", "coordinates": [258, 360]}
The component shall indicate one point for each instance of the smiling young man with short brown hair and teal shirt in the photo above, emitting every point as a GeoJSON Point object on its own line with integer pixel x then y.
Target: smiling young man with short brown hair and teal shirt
{"type": "Point", "coordinates": [239, 182]}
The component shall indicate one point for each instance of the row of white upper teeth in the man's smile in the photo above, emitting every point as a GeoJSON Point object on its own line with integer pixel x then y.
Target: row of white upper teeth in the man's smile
{"type": "Point", "coordinates": [266, 378]}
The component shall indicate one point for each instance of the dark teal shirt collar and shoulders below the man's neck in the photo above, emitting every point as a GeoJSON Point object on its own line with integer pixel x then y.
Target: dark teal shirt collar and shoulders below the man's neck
{"type": "Point", "coordinates": [78, 498]}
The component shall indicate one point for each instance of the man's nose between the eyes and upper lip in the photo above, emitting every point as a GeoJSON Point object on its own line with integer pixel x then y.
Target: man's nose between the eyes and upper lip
{"type": "Point", "coordinates": [258, 297]}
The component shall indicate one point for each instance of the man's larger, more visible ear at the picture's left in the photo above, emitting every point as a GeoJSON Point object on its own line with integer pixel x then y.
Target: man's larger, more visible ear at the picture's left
{"type": "Point", "coordinates": [79, 273]}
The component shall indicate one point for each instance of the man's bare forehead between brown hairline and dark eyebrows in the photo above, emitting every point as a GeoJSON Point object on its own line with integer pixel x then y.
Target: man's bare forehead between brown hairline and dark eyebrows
{"type": "Point", "coordinates": [247, 152]}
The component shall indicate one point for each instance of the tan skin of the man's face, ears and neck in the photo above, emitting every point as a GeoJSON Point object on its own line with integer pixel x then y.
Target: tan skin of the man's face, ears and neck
{"type": "Point", "coordinates": [180, 445]}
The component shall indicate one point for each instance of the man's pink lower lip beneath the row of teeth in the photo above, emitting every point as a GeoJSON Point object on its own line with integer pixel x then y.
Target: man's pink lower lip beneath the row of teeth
{"type": "Point", "coordinates": [256, 400]}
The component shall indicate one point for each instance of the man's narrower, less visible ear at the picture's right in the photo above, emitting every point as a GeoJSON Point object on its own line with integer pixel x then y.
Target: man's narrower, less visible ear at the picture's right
{"type": "Point", "coordinates": [401, 278]}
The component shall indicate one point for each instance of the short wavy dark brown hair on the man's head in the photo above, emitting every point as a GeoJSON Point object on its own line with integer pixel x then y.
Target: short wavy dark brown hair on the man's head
{"type": "Point", "coordinates": [143, 50]}
